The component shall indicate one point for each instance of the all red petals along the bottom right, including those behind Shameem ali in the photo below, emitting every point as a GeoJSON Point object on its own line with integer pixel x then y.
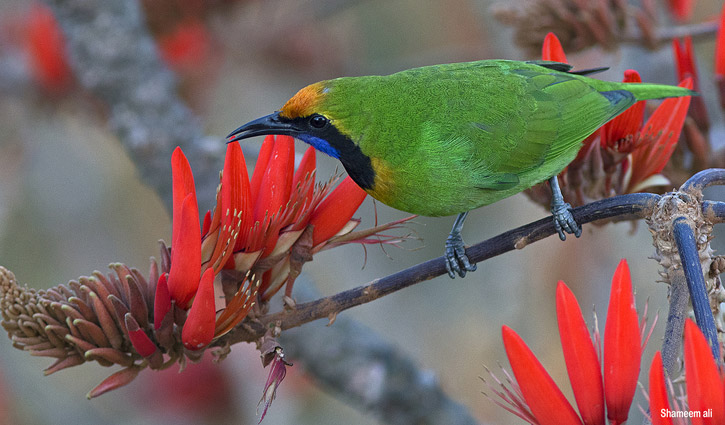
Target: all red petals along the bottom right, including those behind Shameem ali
{"type": "Point", "coordinates": [604, 386]}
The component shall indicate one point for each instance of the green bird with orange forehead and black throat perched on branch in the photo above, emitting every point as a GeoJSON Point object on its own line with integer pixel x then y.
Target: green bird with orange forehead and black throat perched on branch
{"type": "Point", "coordinates": [445, 139]}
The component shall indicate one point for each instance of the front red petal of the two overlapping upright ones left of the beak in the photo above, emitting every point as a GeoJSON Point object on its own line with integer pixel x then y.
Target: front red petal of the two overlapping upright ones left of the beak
{"type": "Point", "coordinates": [186, 254]}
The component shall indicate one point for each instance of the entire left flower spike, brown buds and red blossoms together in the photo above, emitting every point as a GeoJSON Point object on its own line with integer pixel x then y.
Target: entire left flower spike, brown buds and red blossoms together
{"type": "Point", "coordinates": [253, 244]}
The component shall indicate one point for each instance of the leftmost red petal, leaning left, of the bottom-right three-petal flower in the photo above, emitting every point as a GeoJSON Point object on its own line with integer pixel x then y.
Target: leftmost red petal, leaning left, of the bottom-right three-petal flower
{"type": "Point", "coordinates": [546, 401]}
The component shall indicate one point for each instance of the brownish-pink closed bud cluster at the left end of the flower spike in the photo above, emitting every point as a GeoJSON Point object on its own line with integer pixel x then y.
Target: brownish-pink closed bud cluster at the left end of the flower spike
{"type": "Point", "coordinates": [95, 318]}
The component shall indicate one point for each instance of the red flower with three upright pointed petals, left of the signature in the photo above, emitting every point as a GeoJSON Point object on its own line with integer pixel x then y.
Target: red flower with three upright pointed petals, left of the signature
{"type": "Point", "coordinates": [541, 400]}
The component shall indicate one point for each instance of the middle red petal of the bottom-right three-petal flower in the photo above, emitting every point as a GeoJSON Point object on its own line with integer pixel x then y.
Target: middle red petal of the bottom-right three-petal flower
{"type": "Point", "coordinates": [582, 364]}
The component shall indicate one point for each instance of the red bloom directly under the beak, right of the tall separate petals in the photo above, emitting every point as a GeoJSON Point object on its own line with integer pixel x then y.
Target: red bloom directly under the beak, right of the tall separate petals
{"type": "Point", "coordinates": [257, 225]}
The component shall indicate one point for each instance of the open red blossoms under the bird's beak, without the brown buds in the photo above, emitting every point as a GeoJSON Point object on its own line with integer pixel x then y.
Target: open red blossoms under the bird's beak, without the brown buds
{"type": "Point", "coordinates": [263, 229]}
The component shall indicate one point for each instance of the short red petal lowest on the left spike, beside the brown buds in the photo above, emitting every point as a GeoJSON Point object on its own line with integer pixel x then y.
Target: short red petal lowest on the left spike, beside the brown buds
{"type": "Point", "coordinates": [199, 326]}
